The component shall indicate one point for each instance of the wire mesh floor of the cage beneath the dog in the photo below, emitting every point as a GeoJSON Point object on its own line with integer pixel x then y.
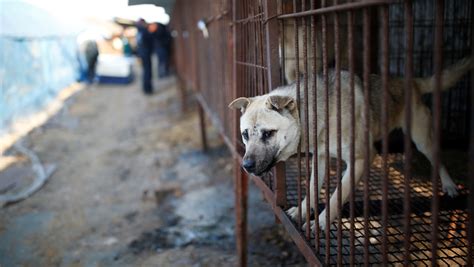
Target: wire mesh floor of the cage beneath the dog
{"type": "Point", "coordinates": [453, 219]}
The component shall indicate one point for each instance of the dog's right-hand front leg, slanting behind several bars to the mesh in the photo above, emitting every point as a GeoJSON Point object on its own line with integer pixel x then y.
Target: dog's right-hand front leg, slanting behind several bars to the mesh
{"type": "Point", "coordinates": [345, 184]}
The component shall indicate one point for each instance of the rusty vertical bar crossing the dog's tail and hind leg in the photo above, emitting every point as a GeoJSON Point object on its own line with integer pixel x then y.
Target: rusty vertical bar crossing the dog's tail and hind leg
{"type": "Point", "coordinates": [438, 68]}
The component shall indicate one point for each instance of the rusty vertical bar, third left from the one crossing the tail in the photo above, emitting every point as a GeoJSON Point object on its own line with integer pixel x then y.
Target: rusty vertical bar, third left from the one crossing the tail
{"type": "Point", "coordinates": [367, 144]}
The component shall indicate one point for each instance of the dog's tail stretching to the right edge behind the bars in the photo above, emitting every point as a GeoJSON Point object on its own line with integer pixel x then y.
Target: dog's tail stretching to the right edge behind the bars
{"type": "Point", "coordinates": [449, 76]}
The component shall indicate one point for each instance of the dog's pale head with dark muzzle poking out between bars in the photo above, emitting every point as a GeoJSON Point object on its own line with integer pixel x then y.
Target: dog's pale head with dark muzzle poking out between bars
{"type": "Point", "coordinates": [270, 130]}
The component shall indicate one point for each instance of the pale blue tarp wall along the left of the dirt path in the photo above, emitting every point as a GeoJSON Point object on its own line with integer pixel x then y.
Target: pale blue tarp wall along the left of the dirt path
{"type": "Point", "coordinates": [38, 58]}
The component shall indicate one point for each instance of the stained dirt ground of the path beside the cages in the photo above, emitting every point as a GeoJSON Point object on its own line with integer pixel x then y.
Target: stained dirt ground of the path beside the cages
{"type": "Point", "coordinates": [133, 188]}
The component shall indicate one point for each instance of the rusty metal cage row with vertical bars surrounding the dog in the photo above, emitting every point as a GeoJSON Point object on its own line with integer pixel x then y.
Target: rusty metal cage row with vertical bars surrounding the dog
{"type": "Point", "coordinates": [397, 214]}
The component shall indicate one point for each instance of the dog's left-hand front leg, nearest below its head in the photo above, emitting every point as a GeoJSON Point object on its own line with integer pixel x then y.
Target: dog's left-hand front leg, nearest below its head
{"type": "Point", "coordinates": [293, 212]}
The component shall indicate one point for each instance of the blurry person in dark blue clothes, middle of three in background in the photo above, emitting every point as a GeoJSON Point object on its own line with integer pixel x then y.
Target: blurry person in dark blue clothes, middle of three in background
{"type": "Point", "coordinates": [145, 49]}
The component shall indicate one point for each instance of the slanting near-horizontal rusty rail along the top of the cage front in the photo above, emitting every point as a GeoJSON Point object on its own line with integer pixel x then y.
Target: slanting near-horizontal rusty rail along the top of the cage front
{"type": "Point", "coordinates": [338, 8]}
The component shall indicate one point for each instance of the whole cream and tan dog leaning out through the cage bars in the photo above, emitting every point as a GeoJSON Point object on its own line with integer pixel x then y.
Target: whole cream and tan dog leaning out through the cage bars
{"type": "Point", "coordinates": [272, 124]}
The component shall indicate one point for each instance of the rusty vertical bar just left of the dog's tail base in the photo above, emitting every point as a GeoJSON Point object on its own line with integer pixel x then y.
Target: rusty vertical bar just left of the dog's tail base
{"type": "Point", "coordinates": [408, 120]}
